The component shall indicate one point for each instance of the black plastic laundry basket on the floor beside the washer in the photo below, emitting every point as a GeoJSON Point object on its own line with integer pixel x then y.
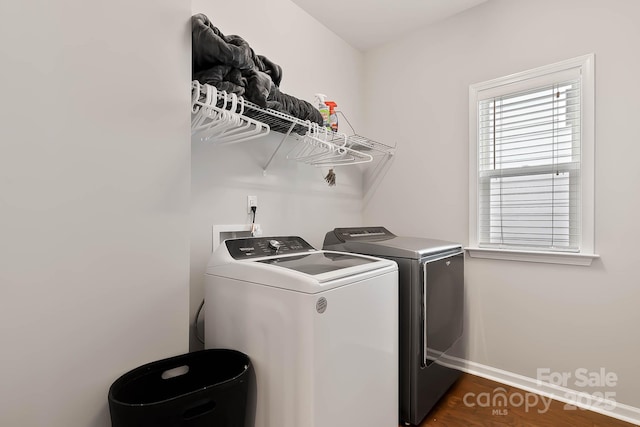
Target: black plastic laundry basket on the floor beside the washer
{"type": "Point", "coordinates": [203, 388]}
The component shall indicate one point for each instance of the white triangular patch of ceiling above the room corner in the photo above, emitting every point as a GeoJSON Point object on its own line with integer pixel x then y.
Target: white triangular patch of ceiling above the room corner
{"type": "Point", "coordinates": [365, 24]}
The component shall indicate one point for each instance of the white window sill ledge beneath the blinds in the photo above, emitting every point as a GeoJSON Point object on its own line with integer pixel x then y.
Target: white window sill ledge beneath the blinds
{"type": "Point", "coordinates": [533, 256]}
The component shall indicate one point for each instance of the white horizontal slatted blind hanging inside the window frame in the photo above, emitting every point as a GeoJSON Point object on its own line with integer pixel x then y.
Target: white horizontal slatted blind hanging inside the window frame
{"type": "Point", "coordinates": [529, 168]}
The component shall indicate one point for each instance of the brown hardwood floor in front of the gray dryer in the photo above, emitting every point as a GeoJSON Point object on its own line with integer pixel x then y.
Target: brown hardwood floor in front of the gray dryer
{"type": "Point", "coordinates": [465, 406]}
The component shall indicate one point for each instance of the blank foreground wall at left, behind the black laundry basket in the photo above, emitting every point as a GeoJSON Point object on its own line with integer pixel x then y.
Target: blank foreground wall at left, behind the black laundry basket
{"type": "Point", "coordinates": [94, 201]}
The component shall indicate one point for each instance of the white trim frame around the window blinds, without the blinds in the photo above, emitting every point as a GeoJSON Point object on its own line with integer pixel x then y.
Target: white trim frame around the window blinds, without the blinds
{"type": "Point", "coordinates": [515, 83]}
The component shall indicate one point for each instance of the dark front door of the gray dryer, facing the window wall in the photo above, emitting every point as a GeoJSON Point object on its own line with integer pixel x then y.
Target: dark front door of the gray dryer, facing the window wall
{"type": "Point", "coordinates": [442, 303]}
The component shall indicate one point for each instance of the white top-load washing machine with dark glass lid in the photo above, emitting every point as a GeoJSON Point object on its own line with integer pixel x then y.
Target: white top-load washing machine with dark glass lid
{"type": "Point", "coordinates": [320, 328]}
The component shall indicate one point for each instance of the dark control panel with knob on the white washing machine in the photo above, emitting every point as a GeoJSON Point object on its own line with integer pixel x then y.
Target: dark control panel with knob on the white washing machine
{"type": "Point", "coordinates": [255, 247]}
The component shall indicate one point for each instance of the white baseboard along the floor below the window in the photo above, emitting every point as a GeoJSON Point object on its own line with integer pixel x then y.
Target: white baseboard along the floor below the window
{"type": "Point", "coordinates": [572, 398]}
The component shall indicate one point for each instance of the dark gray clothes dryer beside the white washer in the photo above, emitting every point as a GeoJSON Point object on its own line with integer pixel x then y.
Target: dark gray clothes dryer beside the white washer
{"type": "Point", "coordinates": [431, 301]}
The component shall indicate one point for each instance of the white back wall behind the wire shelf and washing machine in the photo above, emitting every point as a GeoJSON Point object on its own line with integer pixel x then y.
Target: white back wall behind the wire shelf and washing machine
{"type": "Point", "coordinates": [293, 199]}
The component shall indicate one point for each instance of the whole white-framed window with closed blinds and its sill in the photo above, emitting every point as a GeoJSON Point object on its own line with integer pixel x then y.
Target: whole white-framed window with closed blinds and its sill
{"type": "Point", "coordinates": [531, 160]}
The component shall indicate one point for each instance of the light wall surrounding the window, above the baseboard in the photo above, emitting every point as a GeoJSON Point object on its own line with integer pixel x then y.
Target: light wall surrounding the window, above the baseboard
{"type": "Point", "coordinates": [521, 316]}
